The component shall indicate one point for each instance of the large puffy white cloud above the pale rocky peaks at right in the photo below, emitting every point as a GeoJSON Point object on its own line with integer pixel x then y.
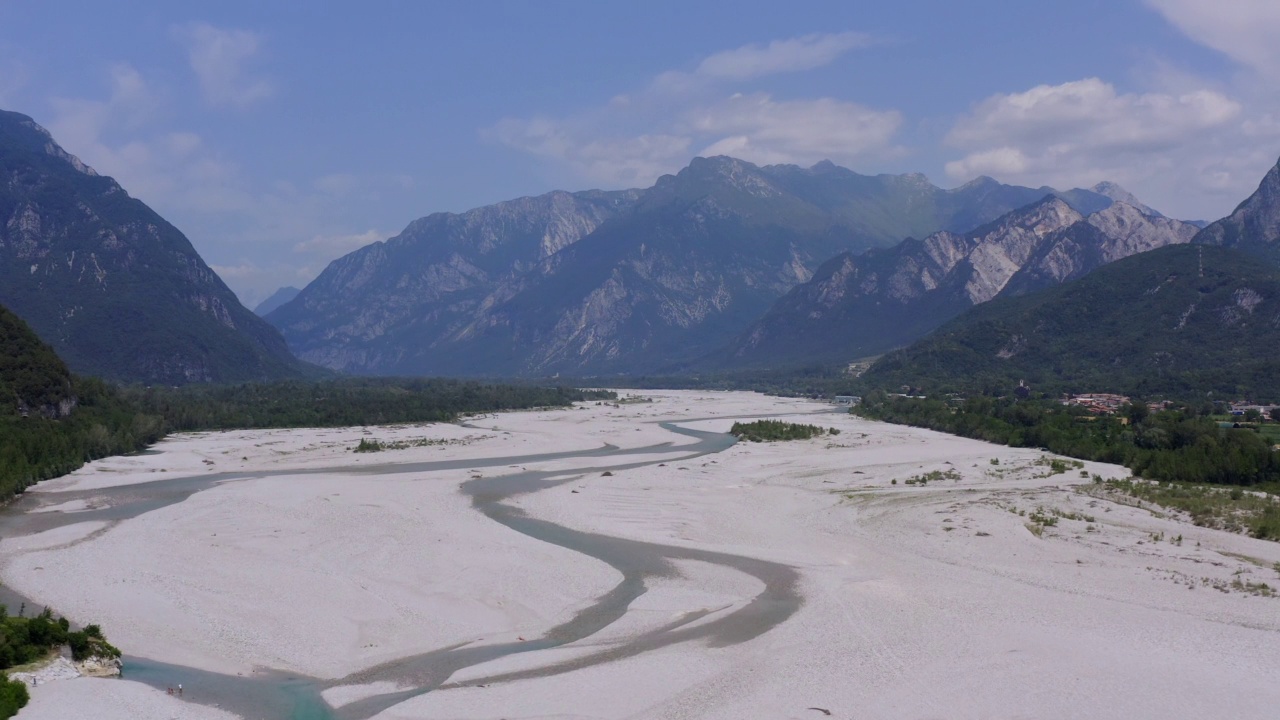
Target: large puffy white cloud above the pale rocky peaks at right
{"type": "Point", "coordinates": [1194, 153]}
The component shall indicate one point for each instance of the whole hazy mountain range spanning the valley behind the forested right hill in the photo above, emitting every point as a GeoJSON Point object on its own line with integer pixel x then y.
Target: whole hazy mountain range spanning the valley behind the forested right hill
{"type": "Point", "coordinates": [723, 266]}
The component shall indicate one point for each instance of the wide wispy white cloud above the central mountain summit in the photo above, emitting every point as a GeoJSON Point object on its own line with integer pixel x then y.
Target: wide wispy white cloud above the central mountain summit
{"type": "Point", "coordinates": [634, 139]}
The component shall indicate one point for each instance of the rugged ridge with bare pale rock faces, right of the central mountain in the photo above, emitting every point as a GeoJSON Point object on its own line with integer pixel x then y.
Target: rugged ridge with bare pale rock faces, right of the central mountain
{"type": "Point", "coordinates": [860, 306]}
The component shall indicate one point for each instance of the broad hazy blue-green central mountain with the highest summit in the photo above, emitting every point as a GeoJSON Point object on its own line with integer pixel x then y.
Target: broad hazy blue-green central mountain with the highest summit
{"type": "Point", "coordinates": [605, 282]}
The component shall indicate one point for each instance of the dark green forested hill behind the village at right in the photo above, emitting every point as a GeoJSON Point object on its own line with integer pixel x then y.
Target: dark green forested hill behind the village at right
{"type": "Point", "coordinates": [1180, 321]}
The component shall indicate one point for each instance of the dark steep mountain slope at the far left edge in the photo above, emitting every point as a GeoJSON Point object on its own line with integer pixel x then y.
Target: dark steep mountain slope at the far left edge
{"type": "Point", "coordinates": [112, 286]}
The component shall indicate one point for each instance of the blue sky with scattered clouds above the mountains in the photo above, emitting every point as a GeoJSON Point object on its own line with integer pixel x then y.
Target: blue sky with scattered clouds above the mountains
{"type": "Point", "coordinates": [281, 136]}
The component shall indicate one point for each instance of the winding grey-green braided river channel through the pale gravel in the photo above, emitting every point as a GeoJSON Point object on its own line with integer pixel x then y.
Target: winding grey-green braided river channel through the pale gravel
{"type": "Point", "coordinates": [286, 696]}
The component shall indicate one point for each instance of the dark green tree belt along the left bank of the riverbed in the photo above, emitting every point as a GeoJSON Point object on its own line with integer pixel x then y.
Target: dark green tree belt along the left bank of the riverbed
{"type": "Point", "coordinates": [53, 422]}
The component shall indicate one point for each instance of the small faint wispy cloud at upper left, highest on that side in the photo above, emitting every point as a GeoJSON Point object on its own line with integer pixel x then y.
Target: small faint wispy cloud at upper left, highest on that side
{"type": "Point", "coordinates": [220, 58]}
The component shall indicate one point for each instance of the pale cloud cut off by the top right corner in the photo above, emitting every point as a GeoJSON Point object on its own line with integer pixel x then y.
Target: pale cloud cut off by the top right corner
{"type": "Point", "coordinates": [1242, 30]}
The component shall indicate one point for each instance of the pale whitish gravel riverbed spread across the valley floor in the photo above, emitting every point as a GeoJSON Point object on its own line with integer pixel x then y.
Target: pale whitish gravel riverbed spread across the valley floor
{"type": "Point", "coordinates": [920, 601]}
